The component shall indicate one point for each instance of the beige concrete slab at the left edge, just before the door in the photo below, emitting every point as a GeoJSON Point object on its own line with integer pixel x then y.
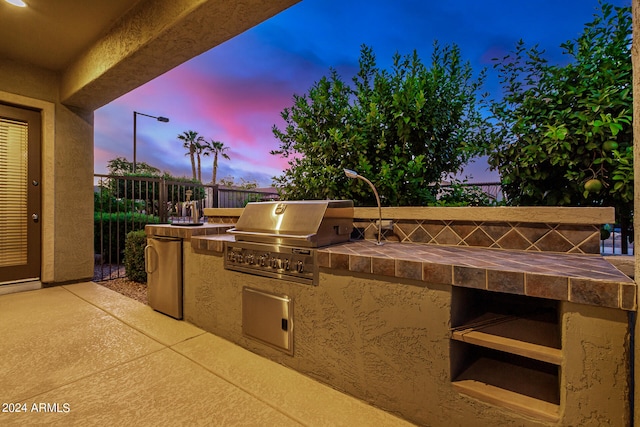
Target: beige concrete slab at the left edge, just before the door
{"type": "Point", "coordinates": [50, 338]}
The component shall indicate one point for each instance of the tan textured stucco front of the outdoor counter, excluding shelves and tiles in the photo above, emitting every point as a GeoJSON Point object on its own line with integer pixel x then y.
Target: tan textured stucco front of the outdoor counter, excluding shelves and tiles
{"type": "Point", "coordinates": [388, 342]}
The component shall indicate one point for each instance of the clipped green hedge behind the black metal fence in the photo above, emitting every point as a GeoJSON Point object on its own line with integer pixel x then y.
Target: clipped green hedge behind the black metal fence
{"type": "Point", "coordinates": [110, 231]}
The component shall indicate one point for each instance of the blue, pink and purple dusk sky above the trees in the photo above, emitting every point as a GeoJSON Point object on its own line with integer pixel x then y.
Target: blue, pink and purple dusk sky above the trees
{"type": "Point", "coordinates": [235, 92]}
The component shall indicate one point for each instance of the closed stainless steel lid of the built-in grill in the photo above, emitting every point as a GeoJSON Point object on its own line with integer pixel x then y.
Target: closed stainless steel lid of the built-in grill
{"type": "Point", "coordinates": [309, 223]}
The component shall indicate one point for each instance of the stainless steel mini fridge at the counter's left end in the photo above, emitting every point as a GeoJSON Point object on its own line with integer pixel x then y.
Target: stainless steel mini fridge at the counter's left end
{"type": "Point", "coordinates": [163, 263]}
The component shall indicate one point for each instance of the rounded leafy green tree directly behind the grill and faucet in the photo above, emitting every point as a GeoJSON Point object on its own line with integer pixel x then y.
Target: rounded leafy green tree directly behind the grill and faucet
{"type": "Point", "coordinates": [402, 128]}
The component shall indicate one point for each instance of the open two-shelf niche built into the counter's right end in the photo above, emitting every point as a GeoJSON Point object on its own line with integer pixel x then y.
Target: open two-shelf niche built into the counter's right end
{"type": "Point", "coordinates": [506, 350]}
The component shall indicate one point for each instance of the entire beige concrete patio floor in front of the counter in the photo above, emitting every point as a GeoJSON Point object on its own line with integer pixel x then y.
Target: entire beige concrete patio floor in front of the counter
{"type": "Point", "coordinates": [82, 354]}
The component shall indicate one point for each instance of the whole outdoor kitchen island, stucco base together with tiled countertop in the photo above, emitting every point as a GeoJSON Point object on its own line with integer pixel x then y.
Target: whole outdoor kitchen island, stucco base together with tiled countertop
{"type": "Point", "coordinates": [385, 336]}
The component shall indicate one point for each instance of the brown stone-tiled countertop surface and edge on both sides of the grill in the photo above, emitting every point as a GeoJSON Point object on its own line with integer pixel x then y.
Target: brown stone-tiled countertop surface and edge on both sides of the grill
{"type": "Point", "coordinates": [579, 278]}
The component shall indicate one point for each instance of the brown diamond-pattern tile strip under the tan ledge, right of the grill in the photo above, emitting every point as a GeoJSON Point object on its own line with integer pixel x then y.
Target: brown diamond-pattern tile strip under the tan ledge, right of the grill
{"type": "Point", "coordinates": [537, 237]}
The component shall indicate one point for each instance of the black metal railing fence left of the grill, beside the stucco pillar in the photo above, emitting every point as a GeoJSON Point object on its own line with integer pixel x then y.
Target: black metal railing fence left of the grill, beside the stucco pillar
{"type": "Point", "coordinates": [127, 203]}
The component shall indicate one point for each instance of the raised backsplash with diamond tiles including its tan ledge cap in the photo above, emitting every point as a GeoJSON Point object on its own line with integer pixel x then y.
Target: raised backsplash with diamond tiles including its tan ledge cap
{"type": "Point", "coordinates": [535, 229]}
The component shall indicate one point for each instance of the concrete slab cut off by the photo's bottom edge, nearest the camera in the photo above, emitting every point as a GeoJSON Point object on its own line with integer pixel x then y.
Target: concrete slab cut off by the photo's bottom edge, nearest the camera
{"type": "Point", "coordinates": [160, 389]}
